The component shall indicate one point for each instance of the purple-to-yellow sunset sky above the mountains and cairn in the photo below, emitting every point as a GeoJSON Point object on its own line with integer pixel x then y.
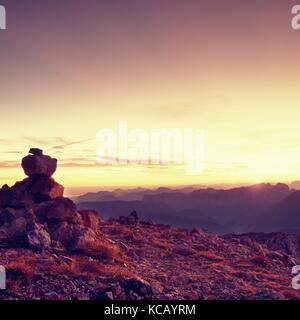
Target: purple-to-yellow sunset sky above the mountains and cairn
{"type": "Point", "coordinates": [70, 68]}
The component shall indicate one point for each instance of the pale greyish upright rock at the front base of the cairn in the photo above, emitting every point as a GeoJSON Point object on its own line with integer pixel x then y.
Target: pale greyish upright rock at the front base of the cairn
{"type": "Point", "coordinates": [38, 238]}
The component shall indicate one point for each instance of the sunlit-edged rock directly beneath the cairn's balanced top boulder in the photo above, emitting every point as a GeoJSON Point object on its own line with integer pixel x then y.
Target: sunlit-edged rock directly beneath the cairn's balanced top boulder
{"type": "Point", "coordinates": [45, 188]}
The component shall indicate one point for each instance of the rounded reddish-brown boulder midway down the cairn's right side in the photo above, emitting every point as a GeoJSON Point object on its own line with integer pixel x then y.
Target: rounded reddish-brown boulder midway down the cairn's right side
{"type": "Point", "coordinates": [62, 209]}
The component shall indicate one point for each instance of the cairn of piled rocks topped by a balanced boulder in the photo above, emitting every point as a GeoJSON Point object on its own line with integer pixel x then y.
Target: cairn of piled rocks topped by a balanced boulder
{"type": "Point", "coordinates": [34, 213]}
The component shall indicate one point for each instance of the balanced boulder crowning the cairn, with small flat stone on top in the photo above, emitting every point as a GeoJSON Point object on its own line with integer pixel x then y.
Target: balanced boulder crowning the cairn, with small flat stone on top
{"type": "Point", "coordinates": [39, 164]}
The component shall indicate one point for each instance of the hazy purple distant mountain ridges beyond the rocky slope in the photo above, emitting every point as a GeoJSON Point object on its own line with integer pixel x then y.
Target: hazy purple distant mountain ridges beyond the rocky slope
{"type": "Point", "coordinates": [236, 210]}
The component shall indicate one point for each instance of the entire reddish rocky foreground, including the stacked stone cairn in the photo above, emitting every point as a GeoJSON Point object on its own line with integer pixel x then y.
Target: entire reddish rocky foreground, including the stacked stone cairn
{"type": "Point", "coordinates": [51, 250]}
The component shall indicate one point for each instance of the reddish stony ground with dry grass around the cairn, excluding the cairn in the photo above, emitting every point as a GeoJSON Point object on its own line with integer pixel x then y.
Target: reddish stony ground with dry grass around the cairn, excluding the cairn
{"type": "Point", "coordinates": [147, 261]}
